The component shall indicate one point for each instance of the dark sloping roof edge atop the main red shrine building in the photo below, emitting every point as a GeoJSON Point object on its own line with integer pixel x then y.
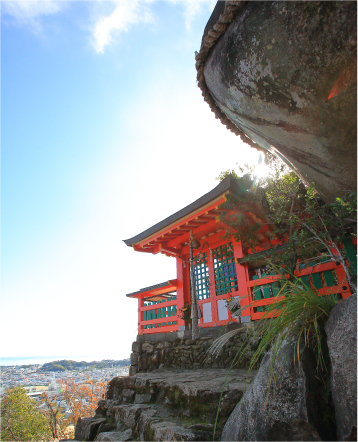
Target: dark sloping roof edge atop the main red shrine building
{"type": "Point", "coordinates": [229, 184]}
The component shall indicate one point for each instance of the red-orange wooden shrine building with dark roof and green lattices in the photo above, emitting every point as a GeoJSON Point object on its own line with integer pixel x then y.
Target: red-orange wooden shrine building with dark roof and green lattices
{"type": "Point", "coordinates": [221, 272]}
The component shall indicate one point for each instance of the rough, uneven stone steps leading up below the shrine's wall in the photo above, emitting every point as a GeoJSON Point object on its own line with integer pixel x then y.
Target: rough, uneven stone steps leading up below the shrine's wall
{"type": "Point", "coordinates": [174, 405]}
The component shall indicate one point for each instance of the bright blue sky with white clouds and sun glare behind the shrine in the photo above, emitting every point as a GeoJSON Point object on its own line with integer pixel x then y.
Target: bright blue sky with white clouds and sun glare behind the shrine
{"type": "Point", "coordinates": [103, 132]}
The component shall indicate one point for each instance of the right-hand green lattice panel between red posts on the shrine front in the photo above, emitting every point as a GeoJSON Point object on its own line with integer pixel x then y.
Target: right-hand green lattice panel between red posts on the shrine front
{"type": "Point", "coordinates": [224, 270]}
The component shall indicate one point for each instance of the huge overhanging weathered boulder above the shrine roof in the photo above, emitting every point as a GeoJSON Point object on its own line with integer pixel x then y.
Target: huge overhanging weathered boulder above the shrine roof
{"type": "Point", "coordinates": [286, 73]}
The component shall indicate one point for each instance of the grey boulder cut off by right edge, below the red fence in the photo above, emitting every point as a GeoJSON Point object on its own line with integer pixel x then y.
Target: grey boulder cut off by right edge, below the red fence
{"type": "Point", "coordinates": [342, 340]}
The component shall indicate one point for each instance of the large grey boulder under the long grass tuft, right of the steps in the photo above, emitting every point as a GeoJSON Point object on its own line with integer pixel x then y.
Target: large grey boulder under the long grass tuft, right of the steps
{"type": "Point", "coordinates": [292, 410]}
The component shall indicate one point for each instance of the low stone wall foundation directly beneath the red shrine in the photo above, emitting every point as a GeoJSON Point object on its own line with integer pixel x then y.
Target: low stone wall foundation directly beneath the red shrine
{"type": "Point", "coordinates": [178, 350]}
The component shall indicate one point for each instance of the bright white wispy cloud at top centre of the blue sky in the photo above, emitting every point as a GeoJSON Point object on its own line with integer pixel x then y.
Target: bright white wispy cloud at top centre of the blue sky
{"type": "Point", "coordinates": [125, 14]}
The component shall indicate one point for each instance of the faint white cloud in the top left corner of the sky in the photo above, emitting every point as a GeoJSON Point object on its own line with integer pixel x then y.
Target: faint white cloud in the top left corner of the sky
{"type": "Point", "coordinates": [30, 10]}
